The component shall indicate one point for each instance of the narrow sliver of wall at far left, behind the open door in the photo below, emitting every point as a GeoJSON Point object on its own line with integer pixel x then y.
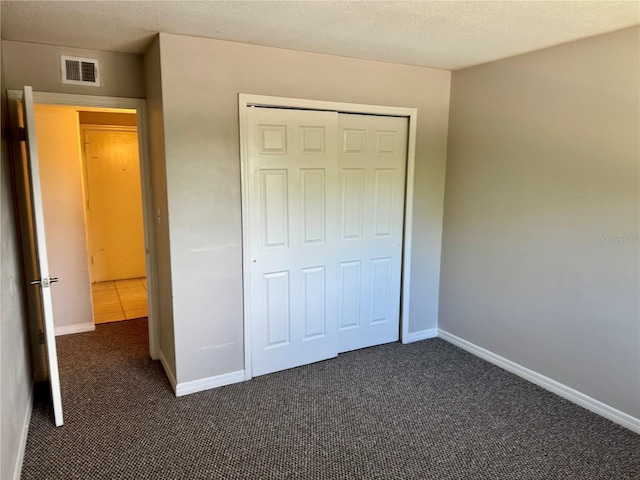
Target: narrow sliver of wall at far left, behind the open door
{"type": "Point", "coordinates": [15, 370]}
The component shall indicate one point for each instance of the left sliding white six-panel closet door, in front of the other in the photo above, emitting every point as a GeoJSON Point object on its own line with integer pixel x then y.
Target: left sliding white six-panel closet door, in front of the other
{"type": "Point", "coordinates": [292, 194]}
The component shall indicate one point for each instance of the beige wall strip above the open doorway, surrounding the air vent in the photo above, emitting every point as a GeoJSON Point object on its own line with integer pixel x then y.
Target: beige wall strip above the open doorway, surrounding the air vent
{"type": "Point", "coordinates": [39, 66]}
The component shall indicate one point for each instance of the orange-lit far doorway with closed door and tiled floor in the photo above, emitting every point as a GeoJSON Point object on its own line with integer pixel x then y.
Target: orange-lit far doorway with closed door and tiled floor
{"type": "Point", "coordinates": [114, 217]}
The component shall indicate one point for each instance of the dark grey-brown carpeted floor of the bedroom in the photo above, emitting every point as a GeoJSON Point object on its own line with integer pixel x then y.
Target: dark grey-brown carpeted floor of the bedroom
{"type": "Point", "coordinates": [427, 410]}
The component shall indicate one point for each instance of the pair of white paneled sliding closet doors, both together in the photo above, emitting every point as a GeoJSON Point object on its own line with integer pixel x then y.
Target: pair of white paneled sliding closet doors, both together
{"type": "Point", "coordinates": [326, 202]}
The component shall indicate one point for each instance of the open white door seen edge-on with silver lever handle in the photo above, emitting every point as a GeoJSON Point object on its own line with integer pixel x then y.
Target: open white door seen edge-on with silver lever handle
{"type": "Point", "coordinates": [42, 281]}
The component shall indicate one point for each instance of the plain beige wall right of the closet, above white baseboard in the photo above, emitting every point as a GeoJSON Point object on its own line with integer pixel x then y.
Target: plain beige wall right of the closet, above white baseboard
{"type": "Point", "coordinates": [540, 261]}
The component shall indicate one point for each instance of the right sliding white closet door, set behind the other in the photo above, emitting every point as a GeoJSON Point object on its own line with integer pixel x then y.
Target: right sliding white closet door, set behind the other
{"type": "Point", "coordinates": [372, 165]}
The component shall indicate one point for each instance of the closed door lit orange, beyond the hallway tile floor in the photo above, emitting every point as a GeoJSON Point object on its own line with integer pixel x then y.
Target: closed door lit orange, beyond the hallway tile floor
{"type": "Point", "coordinates": [114, 206]}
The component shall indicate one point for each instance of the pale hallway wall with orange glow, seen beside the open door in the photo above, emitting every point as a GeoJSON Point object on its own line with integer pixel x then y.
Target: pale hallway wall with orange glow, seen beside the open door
{"type": "Point", "coordinates": [63, 203]}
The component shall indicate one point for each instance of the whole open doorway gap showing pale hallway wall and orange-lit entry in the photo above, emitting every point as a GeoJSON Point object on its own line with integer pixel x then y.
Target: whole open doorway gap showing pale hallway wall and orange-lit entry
{"type": "Point", "coordinates": [90, 166]}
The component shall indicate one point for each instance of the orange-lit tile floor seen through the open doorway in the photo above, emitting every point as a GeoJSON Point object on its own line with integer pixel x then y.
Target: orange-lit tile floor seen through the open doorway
{"type": "Point", "coordinates": [119, 300]}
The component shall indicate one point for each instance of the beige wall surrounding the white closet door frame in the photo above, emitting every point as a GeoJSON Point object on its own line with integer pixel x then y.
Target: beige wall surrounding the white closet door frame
{"type": "Point", "coordinates": [200, 100]}
